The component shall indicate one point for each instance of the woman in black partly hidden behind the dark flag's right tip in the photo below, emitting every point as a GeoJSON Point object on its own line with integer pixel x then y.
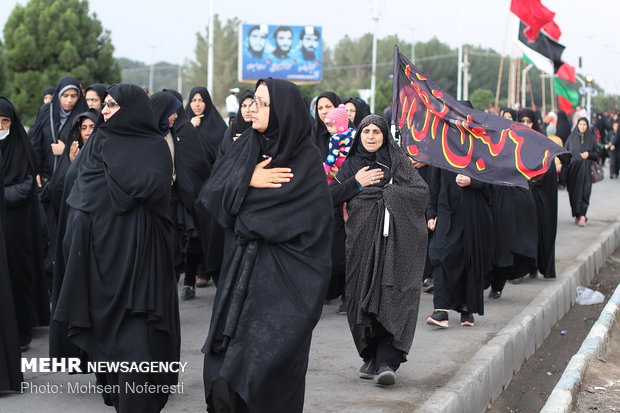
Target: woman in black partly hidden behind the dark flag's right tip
{"type": "Point", "coordinates": [545, 193]}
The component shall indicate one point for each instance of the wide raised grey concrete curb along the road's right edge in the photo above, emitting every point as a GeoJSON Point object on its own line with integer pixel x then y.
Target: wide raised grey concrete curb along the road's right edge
{"type": "Point", "coordinates": [488, 373]}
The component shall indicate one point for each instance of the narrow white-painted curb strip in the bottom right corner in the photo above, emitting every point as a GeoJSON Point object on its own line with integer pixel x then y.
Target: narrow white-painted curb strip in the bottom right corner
{"type": "Point", "coordinates": [561, 398]}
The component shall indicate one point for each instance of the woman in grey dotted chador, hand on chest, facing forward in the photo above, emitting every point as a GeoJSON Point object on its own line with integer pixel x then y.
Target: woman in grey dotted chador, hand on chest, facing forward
{"type": "Point", "coordinates": [385, 200]}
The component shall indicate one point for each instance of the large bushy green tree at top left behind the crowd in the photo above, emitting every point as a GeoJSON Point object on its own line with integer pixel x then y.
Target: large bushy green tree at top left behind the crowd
{"type": "Point", "coordinates": [48, 39]}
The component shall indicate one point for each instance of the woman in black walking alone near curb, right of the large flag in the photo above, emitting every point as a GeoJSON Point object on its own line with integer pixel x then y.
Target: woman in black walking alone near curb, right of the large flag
{"type": "Point", "coordinates": [582, 145]}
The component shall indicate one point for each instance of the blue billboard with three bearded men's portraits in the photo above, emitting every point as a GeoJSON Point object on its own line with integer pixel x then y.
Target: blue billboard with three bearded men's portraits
{"type": "Point", "coordinates": [293, 53]}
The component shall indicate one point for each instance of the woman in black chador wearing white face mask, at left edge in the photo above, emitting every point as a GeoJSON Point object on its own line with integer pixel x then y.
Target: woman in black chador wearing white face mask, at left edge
{"type": "Point", "coordinates": [22, 232]}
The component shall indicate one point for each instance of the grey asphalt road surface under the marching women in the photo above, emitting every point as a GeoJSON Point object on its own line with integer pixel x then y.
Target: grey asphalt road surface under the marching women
{"type": "Point", "coordinates": [332, 383]}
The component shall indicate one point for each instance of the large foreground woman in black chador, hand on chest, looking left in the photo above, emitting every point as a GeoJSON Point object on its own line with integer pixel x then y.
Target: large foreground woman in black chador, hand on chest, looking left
{"type": "Point", "coordinates": [270, 194]}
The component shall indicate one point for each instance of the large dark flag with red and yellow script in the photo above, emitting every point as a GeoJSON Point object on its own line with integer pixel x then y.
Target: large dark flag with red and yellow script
{"type": "Point", "coordinates": [437, 130]}
